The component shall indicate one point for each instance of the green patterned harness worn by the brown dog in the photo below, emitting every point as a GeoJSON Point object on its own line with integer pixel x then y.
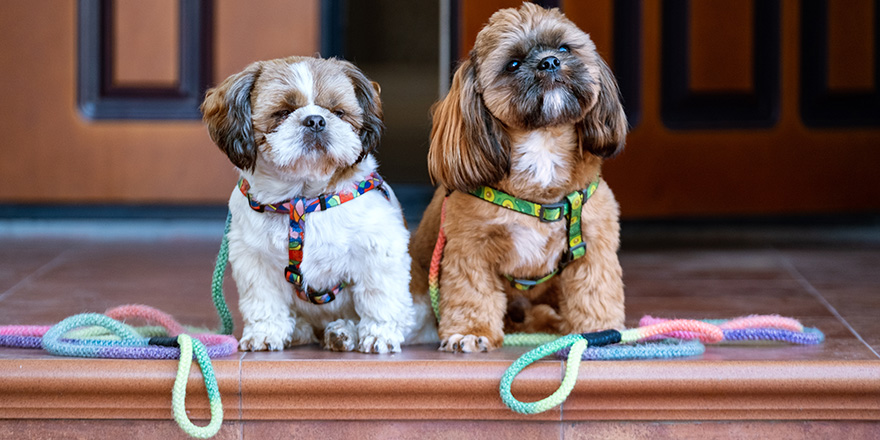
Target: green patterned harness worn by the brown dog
{"type": "Point", "coordinates": [569, 208]}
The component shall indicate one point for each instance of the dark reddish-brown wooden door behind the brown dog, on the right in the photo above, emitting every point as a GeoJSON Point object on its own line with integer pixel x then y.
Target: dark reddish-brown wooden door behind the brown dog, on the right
{"type": "Point", "coordinates": [737, 107]}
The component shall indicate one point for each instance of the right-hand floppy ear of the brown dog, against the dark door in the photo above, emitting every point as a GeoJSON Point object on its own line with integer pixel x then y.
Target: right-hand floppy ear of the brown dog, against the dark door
{"type": "Point", "coordinates": [603, 130]}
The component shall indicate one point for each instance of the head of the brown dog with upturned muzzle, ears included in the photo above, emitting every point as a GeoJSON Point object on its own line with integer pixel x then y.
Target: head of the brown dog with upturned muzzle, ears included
{"type": "Point", "coordinates": [530, 68]}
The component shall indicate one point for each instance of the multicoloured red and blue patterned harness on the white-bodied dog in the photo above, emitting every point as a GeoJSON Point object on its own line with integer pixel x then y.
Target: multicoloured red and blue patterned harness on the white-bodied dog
{"type": "Point", "coordinates": [297, 208]}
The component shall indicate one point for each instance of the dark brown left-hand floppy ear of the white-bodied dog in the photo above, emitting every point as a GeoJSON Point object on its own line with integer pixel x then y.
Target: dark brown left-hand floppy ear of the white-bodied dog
{"type": "Point", "coordinates": [227, 112]}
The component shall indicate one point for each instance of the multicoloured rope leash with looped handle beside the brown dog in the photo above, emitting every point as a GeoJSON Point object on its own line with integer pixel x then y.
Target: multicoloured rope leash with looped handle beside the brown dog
{"type": "Point", "coordinates": [573, 347]}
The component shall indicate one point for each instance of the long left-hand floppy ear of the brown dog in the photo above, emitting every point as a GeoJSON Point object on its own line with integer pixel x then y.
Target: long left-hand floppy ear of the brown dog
{"type": "Point", "coordinates": [469, 147]}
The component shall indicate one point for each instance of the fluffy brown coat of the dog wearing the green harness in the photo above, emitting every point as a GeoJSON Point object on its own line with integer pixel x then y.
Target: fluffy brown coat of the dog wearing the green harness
{"type": "Point", "coordinates": [532, 112]}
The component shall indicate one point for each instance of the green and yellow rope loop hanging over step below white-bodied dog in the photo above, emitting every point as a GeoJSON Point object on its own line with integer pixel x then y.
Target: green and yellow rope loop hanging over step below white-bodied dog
{"type": "Point", "coordinates": [188, 346]}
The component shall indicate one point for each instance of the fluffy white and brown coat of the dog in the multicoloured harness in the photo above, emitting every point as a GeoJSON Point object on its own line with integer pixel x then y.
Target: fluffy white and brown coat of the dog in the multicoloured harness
{"type": "Point", "coordinates": [302, 127]}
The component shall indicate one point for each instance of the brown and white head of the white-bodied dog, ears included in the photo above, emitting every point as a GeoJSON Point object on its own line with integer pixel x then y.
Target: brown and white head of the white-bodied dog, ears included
{"type": "Point", "coordinates": [300, 116]}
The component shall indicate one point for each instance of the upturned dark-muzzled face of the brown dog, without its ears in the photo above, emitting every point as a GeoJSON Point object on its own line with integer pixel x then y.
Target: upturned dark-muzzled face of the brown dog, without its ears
{"type": "Point", "coordinates": [535, 68]}
